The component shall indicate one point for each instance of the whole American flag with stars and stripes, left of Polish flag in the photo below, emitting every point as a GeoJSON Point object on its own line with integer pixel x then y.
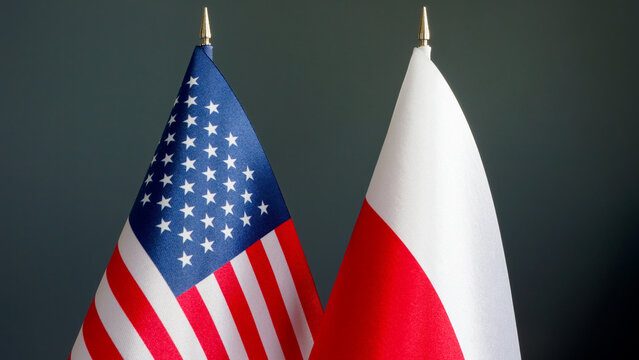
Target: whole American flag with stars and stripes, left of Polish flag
{"type": "Point", "coordinates": [208, 264]}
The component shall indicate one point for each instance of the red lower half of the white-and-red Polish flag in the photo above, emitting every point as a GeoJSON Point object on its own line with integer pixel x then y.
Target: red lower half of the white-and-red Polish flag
{"type": "Point", "coordinates": [383, 305]}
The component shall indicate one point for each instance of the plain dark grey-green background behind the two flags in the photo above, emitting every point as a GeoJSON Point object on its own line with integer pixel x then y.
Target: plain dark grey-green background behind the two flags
{"type": "Point", "coordinates": [549, 89]}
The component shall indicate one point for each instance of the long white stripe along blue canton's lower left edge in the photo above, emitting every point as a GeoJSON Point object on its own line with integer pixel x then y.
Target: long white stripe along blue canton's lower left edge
{"type": "Point", "coordinates": [158, 293]}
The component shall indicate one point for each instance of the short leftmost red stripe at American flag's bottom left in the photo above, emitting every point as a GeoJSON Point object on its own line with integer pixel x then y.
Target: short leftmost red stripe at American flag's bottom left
{"type": "Point", "coordinates": [96, 339]}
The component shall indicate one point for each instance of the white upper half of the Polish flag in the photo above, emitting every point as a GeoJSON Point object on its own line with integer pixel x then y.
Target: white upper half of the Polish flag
{"type": "Point", "coordinates": [430, 187]}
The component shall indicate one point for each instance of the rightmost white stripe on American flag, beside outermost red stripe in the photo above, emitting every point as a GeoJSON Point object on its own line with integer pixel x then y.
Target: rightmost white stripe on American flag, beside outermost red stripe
{"type": "Point", "coordinates": [289, 293]}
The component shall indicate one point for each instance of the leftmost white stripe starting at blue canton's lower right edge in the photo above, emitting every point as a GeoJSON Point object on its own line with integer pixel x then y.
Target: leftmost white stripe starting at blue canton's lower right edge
{"type": "Point", "coordinates": [215, 303]}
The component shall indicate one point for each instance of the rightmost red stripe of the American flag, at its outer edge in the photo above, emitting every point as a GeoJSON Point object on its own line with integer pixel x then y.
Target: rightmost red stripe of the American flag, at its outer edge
{"type": "Point", "coordinates": [302, 277]}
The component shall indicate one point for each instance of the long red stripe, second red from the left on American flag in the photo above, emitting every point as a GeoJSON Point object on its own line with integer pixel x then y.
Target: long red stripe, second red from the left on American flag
{"type": "Point", "coordinates": [139, 311]}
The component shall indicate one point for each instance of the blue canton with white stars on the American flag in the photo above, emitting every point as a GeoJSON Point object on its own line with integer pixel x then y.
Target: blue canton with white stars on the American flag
{"type": "Point", "coordinates": [209, 192]}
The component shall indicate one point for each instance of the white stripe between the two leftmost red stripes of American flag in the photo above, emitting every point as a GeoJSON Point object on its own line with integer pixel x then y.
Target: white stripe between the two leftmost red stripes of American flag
{"type": "Point", "coordinates": [117, 324]}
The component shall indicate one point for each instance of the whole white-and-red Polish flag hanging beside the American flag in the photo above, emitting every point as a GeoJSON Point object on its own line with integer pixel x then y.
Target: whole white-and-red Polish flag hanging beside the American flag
{"type": "Point", "coordinates": [424, 274]}
